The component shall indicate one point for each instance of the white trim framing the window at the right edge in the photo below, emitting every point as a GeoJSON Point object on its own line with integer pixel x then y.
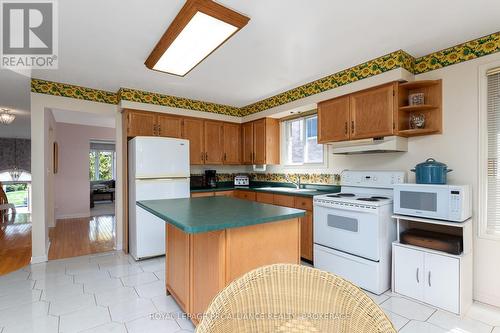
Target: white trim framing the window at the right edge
{"type": "Point", "coordinates": [483, 154]}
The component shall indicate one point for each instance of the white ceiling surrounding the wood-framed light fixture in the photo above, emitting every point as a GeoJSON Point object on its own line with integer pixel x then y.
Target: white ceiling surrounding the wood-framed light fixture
{"type": "Point", "coordinates": [103, 44]}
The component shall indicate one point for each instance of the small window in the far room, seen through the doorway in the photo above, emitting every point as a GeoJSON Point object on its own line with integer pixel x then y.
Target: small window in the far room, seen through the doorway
{"type": "Point", "coordinates": [102, 161]}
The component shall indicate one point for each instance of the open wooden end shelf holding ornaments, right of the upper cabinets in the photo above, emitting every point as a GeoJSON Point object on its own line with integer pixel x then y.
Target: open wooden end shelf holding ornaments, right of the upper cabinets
{"type": "Point", "coordinates": [431, 110]}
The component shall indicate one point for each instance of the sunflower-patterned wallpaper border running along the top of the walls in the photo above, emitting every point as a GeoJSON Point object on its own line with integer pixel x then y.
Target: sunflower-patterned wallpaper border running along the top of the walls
{"type": "Point", "coordinates": [399, 59]}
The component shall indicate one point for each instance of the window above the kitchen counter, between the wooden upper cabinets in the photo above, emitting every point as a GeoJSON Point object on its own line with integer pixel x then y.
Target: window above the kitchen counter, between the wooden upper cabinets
{"type": "Point", "coordinates": [301, 141]}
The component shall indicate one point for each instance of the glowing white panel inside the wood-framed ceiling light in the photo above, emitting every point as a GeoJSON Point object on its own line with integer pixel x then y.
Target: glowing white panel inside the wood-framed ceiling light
{"type": "Point", "coordinates": [201, 36]}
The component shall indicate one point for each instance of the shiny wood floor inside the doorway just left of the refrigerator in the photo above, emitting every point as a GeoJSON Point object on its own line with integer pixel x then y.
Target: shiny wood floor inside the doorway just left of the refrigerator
{"type": "Point", "coordinates": [82, 236]}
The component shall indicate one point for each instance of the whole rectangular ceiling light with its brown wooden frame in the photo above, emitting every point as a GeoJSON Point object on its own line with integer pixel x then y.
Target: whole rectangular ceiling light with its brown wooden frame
{"type": "Point", "coordinates": [198, 30]}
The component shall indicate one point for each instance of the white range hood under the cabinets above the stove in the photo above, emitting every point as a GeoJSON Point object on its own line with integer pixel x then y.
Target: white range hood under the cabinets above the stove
{"type": "Point", "coordinates": [387, 144]}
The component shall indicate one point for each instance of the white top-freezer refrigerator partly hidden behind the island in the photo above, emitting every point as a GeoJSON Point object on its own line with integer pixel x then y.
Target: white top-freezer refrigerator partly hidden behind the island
{"type": "Point", "coordinates": [158, 168]}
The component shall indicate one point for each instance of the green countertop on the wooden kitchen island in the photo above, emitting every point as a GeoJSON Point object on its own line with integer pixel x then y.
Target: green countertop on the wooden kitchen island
{"type": "Point", "coordinates": [197, 215]}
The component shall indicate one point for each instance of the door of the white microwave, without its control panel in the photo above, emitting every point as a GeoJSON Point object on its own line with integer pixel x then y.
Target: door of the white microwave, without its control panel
{"type": "Point", "coordinates": [426, 201]}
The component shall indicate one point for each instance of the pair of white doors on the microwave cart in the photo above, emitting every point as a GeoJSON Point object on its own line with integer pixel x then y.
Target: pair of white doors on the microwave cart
{"type": "Point", "coordinates": [428, 277]}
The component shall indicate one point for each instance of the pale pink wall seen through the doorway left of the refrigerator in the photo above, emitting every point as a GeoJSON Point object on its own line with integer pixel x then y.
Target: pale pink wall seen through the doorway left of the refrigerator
{"type": "Point", "coordinates": [72, 184]}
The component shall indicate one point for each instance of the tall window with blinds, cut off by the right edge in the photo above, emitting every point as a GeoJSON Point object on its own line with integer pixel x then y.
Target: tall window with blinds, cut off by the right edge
{"type": "Point", "coordinates": [491, 204]}
